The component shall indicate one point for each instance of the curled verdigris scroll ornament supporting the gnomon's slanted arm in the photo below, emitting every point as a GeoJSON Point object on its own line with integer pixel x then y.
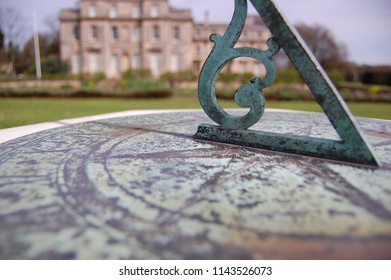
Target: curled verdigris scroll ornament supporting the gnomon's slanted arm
{"type": "Point", "coordinates": [249, 95]}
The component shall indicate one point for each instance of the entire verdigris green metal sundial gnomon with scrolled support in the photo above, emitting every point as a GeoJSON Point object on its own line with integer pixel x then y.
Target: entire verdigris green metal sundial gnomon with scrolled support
{"type": "Point", "coordinates": [351, 146]}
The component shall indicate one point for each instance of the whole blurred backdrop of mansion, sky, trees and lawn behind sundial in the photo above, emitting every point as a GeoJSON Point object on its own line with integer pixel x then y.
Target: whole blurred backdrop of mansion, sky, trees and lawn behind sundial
{"type": "Point", "coordinates": [65, 59]}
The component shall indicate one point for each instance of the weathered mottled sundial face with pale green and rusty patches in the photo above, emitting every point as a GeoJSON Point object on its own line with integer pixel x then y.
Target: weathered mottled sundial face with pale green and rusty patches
{"type": "Point", "coordinates": [142, 188]}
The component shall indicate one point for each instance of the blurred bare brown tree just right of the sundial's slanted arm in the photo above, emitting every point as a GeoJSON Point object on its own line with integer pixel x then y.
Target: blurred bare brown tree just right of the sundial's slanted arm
{"type": "Point", "coordinates": [322, 43]}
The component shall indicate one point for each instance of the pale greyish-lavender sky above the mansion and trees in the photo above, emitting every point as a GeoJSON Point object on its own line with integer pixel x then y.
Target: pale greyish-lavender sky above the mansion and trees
{"type": "Point", "coordinates": [364, 26]}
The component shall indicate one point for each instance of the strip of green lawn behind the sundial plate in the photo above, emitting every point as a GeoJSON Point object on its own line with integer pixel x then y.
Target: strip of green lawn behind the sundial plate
{"type": "Point", "coordinates": [23, 111]}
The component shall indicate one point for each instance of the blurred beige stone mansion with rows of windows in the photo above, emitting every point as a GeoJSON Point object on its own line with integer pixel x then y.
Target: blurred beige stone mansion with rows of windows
{"type": "Point", "coordinates": [112, 36]}
